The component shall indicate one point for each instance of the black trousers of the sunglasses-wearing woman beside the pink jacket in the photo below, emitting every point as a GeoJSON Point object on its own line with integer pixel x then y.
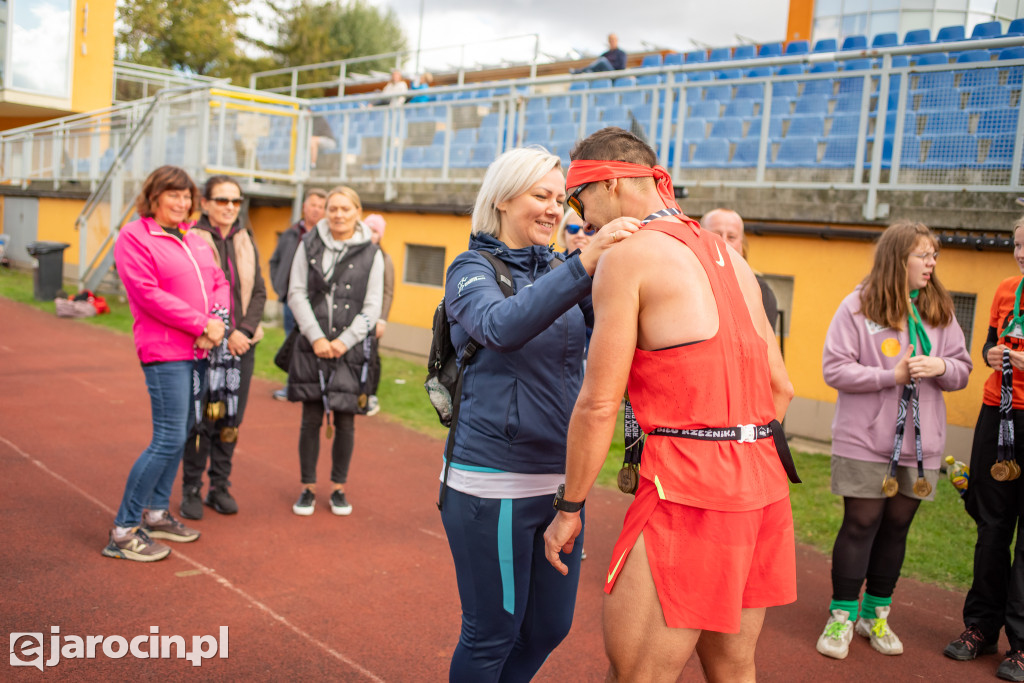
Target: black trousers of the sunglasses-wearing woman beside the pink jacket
{"type": "Point", "coordinates": [210, 448]}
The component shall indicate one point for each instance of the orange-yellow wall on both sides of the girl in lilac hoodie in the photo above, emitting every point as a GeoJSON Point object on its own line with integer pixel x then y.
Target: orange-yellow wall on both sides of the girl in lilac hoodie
{"type": "Point", "coordinates": [825, 273]}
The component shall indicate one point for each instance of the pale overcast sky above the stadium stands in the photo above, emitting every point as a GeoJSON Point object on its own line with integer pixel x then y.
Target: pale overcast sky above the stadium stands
{"type": "Point", "coordinates": [565, 27]}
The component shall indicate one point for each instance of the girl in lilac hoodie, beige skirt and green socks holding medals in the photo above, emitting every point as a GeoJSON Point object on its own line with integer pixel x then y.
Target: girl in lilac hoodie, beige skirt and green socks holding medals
{"type": "Point", "coordinates": [892, 350]}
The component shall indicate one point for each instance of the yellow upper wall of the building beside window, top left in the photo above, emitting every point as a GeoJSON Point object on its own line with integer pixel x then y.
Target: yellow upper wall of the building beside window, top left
{"type": "Point", "coordinates": [94, 60]}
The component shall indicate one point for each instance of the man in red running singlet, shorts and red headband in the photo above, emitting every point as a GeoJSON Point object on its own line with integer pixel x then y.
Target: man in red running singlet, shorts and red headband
{"type": "Point", "coordinates": [708, 543]}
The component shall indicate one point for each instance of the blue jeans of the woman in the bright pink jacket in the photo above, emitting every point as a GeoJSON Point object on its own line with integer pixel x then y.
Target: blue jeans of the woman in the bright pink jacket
{"type": "Point", "coordinates": [153, 476]}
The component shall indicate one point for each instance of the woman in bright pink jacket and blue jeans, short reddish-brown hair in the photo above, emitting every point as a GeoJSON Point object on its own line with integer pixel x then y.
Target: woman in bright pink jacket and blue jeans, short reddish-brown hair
{"type": "Point", "coordinates": [175, 283]}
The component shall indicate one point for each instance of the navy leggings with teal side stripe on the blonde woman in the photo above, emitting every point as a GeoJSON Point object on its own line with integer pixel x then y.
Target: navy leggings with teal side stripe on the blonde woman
{"type": "Point", "coordinates": [516, 607]}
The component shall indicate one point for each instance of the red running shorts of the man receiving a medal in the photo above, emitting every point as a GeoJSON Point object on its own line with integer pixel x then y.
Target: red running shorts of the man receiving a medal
{"type": "Point", "coordinates": [710, 565]}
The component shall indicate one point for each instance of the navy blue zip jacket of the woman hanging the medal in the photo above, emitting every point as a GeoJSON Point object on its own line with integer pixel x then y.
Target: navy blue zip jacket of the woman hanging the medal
{"type": "Point", "coordinates": [520, 390]}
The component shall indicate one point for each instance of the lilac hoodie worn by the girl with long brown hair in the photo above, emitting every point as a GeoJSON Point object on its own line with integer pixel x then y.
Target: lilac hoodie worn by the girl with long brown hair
{"type": "Point", "coordinates": [854, 363]}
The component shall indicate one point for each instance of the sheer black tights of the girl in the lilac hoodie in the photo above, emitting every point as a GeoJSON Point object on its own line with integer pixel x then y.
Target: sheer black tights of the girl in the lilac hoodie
{"type": "Point", "coordinates": [871, 544]}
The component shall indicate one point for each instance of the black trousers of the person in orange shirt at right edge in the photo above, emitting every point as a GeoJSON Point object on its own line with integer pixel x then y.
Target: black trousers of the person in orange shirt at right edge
{"type": "Point", "coordinates": [997, 595]}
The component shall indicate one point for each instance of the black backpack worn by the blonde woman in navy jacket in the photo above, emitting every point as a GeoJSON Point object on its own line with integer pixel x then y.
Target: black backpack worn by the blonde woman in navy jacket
{"type": "Point", "coordinates": [444, 383]}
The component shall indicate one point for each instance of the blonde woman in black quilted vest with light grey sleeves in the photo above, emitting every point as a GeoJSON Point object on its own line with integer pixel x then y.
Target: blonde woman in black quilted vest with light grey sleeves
{"type": "Point", "coordinates": [335, 293]}
